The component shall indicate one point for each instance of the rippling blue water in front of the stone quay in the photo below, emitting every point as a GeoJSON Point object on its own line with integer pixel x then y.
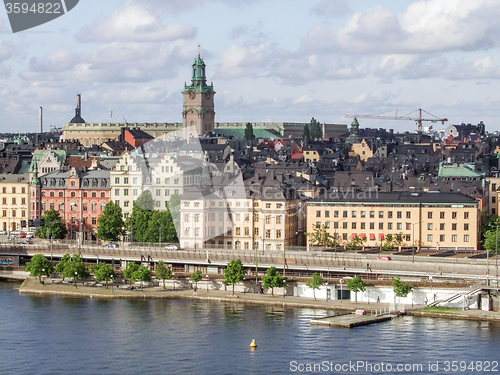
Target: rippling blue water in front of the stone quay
{"type": "Point", "coordinates": [58, 335]}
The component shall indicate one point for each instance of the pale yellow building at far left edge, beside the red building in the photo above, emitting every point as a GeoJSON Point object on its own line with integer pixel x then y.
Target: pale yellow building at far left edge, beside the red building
{"type": "Point", "coordinates": [14, 201]}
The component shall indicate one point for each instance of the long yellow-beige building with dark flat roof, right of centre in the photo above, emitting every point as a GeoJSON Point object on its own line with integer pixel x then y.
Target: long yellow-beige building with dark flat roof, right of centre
{"type": "Point", "coordinates": [432, 220]}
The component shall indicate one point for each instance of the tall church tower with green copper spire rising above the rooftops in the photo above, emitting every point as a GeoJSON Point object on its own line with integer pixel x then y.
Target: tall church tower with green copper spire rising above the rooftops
{"type": "Point", "coordinates": [198, 110]}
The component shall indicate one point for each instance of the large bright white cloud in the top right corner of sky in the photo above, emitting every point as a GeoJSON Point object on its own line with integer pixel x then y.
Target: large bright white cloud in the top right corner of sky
{"type": "Point", "coordinates": [426, 26]}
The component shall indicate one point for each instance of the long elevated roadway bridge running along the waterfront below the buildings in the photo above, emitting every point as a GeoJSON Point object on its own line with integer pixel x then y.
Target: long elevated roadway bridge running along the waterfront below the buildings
{"type": "Point", "coordinates": [294, 262]}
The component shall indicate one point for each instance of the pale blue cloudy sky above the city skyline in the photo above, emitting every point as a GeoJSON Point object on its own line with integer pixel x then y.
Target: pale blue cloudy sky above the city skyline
{"type": "Point", "coordinates": [269, 60]}
